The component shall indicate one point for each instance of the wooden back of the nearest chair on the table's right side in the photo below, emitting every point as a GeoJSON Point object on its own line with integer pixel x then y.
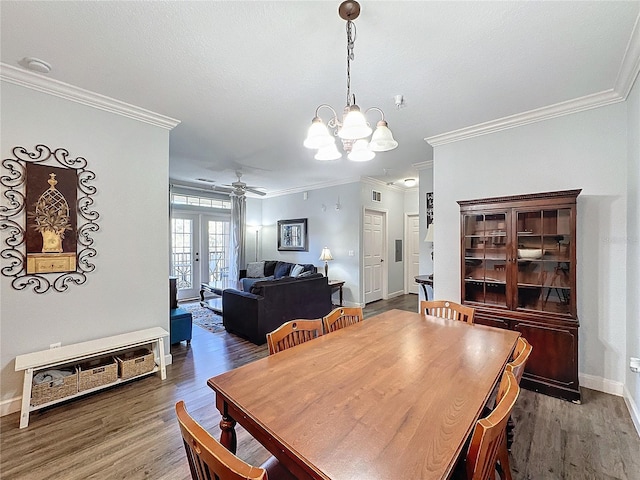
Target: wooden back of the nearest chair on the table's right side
{"type": "Point", "coordinates": [489, 434]}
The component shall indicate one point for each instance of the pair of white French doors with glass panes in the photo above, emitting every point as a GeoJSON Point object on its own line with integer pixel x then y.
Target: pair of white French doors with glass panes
{"type": "Point", "coordinates": [199, 251]}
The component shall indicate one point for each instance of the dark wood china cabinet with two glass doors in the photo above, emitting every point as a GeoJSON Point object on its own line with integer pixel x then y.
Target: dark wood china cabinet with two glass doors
{"type": "Point", "coordinates": [519, 272]}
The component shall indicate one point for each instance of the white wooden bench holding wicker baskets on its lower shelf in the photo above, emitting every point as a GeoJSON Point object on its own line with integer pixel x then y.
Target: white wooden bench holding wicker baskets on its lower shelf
{"type": "Point", "coordinates": [33, 362]}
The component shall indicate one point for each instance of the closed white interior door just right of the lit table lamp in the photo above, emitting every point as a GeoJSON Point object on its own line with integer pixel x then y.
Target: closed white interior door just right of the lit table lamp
{"type": "Point", "coordinates": [373, 250]}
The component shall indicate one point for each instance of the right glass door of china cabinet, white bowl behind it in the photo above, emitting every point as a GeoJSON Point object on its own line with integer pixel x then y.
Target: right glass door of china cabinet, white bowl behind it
{"type": "Point", "coordinates": [544, 266]}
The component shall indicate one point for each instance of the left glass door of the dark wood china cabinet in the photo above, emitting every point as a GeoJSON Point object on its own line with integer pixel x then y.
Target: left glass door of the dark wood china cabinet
{"type": "Point", "coordinates": [485, 257]}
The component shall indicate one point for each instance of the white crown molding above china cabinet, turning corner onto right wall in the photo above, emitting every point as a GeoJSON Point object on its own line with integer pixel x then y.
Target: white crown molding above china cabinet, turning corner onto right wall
{"type": "Point", "coordinates": [629, 70]}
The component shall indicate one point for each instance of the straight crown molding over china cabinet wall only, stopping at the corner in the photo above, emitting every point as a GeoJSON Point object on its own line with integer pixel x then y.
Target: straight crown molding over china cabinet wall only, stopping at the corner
{"type": "Point", "coordinates": [545, 113]}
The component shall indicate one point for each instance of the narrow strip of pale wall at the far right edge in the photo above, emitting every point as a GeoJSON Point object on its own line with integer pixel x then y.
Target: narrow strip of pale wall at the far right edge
{"type": "Point", "coordinates": [632, 383]}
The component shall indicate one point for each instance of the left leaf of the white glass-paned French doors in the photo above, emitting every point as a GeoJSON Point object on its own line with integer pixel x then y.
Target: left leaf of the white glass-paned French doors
{"type": "Point", "coordinates": [185, 255]}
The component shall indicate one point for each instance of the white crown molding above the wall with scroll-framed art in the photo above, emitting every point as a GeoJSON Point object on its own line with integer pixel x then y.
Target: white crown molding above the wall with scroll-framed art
{"type": "Point", "coordinates": [33, 81]}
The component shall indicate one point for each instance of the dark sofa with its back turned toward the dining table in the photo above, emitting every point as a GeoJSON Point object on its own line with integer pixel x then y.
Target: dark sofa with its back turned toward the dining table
{"type": "Point", "coordinates": [271, 303]}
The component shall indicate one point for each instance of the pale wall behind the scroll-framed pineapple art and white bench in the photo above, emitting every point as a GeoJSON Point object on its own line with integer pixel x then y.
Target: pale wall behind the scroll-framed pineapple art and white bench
{"type": "Point", "coordinates": [129, 288]}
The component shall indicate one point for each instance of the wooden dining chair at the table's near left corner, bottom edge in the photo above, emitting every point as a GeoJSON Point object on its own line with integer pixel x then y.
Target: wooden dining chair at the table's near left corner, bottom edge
{"type": "Point", "coordinates": [209, 460]}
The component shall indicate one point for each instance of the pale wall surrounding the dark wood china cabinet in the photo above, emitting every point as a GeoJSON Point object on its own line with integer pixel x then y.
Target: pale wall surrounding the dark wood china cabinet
{"type": "Point", "coordinates": [585, 150]}
